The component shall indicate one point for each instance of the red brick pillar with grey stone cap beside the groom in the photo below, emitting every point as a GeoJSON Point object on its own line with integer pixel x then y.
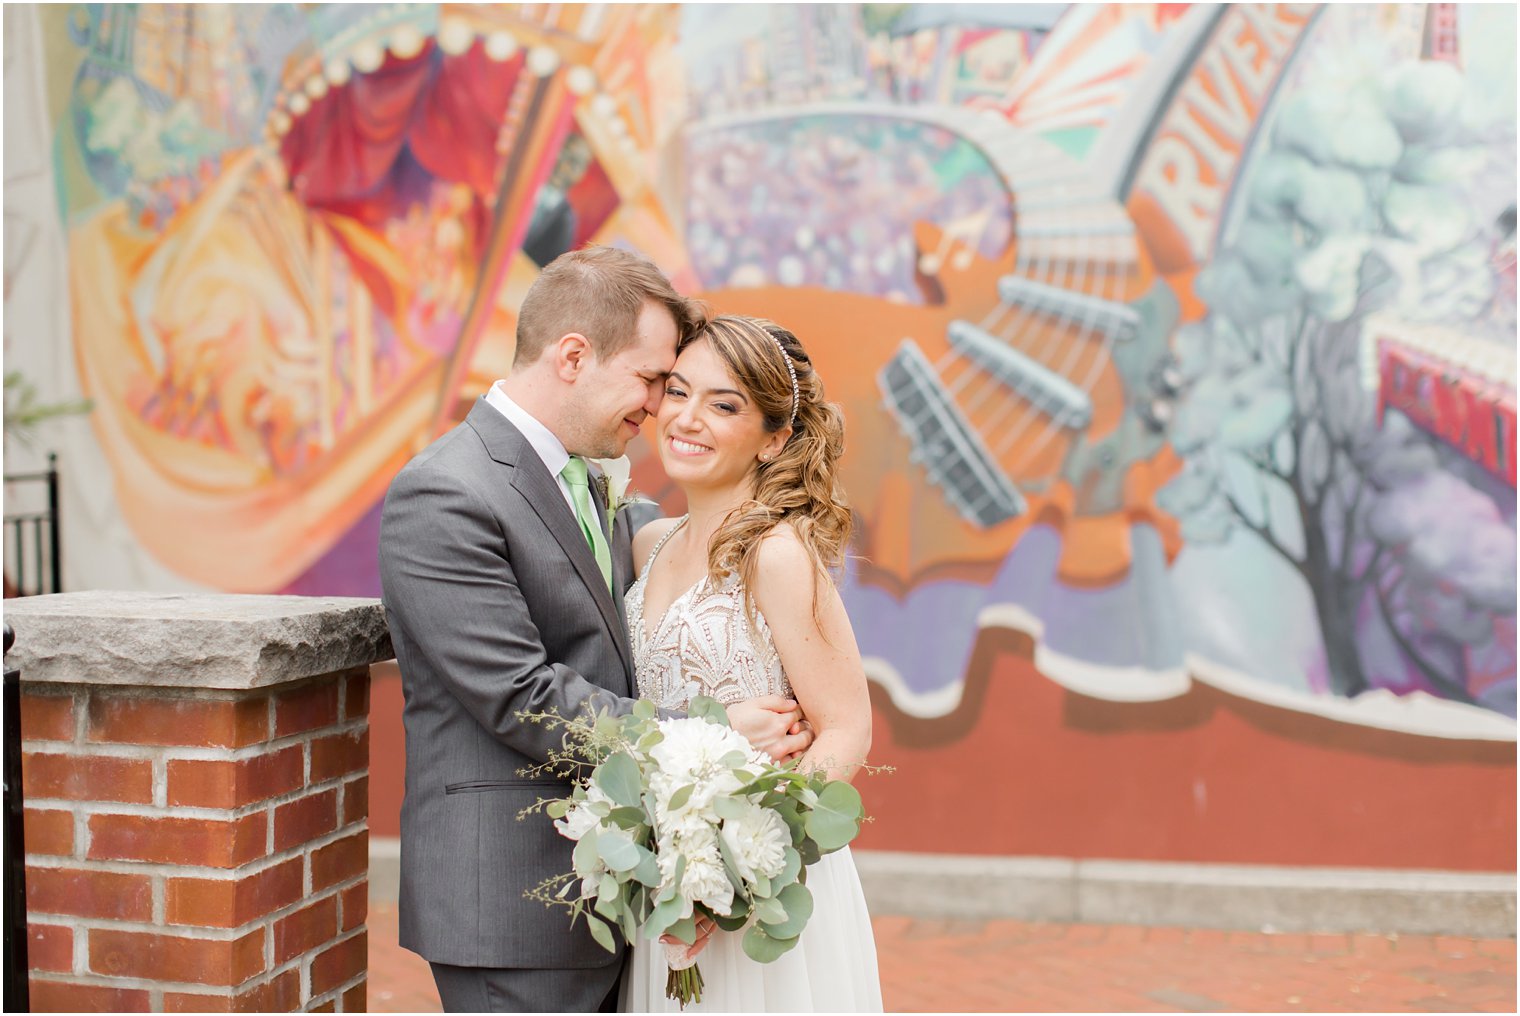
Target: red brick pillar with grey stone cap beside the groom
{"type": "Point", "coordinates": [195, 845]}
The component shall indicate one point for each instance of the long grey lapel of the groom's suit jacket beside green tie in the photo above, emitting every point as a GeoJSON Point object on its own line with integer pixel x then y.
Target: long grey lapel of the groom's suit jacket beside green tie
{"type": "Point", "coordinates": [542, 492]}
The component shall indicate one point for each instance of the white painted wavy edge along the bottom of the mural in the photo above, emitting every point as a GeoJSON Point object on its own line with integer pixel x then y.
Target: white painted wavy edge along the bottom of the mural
{"type": "Point", "coordinates": [1417, 713]}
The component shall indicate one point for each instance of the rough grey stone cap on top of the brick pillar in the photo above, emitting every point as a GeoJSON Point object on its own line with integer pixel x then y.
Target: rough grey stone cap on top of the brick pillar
{"type": "Point", "coordinates": [230, 641]}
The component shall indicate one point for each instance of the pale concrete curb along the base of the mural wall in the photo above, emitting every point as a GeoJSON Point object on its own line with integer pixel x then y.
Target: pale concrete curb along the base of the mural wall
{"type": "Point", "coordinates": [1232, 897]}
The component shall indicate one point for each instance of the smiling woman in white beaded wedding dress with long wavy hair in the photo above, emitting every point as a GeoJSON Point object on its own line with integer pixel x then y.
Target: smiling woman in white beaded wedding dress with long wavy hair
{"type": "Point", "coordinates": [735, 602]}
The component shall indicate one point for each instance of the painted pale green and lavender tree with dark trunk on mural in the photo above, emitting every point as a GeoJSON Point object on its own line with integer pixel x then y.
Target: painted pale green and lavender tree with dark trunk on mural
{"type": "Point", "coordinates": [1361, 202]}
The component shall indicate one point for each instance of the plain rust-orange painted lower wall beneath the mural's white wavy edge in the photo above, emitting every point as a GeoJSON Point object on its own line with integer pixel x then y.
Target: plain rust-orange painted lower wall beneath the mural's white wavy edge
{"type": "Point", "coordinates": [1027, 767]}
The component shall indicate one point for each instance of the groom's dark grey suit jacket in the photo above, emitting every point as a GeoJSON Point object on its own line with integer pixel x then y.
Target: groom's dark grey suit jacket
{"type": "Point", "coordinates": [495, 605]}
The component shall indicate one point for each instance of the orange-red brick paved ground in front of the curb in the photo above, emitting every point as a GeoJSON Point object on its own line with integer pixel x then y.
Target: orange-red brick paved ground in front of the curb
{"type": "Point", "coordinates": [1016, 967]}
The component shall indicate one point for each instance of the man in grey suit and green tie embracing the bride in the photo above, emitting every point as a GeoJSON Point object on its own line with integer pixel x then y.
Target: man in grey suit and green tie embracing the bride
{"type": "Point", "coordinates": [504, 591]}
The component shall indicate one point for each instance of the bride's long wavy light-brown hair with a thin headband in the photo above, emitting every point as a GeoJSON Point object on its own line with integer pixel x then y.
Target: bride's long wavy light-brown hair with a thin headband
{"type": "Point", "coordinates": [802, 484]}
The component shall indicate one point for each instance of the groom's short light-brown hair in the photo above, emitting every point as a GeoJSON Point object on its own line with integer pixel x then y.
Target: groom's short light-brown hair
{"type": "Point", "coordinates": [598, 293]}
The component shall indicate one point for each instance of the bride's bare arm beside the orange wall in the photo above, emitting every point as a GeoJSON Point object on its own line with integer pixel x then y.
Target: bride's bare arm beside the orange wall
{"type": "Point", "coordinates": [819, 652]}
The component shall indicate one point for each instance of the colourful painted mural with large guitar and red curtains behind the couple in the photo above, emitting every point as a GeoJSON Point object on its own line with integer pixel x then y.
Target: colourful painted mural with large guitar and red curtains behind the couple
{"type": "Point", "coordinates": [1176, 341]}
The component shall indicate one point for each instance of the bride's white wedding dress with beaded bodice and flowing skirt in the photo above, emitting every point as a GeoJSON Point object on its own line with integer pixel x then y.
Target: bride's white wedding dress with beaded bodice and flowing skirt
{"type": "Point", "coordinates": [705, 646]}
